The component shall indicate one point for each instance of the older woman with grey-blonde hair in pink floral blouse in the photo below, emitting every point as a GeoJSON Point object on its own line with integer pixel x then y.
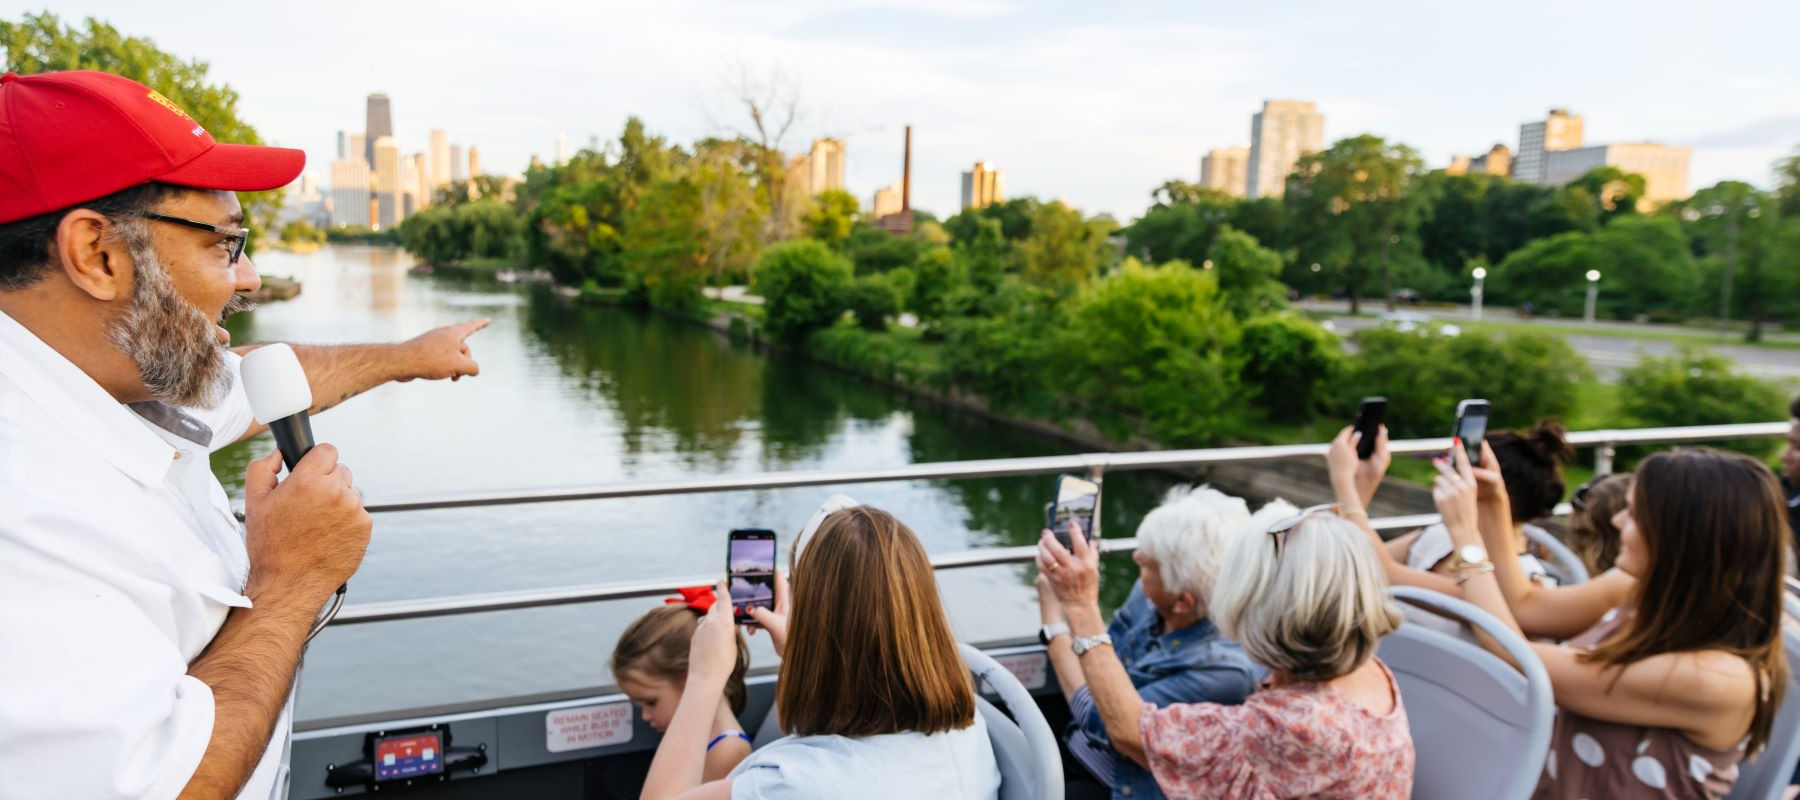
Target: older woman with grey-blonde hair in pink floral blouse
{"type": "Point", "coordinates": [1306, 595]}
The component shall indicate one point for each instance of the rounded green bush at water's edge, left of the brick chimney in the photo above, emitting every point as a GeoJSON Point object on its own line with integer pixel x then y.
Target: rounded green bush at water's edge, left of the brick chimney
{"type": "Point", "coordinates": [804, 286]}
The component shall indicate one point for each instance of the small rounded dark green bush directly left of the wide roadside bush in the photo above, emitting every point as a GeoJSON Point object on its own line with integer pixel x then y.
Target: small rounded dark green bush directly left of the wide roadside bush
{"type": "Point", "coordinates": [1291, 365]}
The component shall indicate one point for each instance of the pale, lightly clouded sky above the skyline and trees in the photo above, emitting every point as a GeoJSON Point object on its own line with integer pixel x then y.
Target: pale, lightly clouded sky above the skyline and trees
{"type": "Point", "coordinates": [1093, 104]}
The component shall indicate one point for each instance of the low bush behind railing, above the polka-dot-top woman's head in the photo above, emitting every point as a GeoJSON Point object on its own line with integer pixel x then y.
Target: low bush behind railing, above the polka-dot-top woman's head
{"type": "Point", "coordinates": [1696, 386]}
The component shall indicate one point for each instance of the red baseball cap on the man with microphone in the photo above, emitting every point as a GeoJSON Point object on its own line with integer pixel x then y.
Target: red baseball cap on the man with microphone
{"type": "Point", "coordinates": [69, 138]}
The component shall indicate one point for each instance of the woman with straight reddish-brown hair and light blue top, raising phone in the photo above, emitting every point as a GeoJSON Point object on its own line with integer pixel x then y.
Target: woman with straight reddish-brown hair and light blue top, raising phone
{"type": "Point", "coordinates": [874, 696]}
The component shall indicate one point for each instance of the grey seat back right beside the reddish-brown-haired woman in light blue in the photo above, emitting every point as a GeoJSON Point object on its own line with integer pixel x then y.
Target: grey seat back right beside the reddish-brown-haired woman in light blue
{"type": "Point", "coordinates": [1023, 743]}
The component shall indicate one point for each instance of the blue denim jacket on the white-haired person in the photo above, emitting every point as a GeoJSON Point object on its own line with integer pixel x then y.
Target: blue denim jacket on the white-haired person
{"type": "Point", "coordinates": [1191, 666]}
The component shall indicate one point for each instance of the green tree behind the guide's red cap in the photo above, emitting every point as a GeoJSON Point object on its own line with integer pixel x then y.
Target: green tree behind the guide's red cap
{"type": "Point", "coordinates": [44, 44]}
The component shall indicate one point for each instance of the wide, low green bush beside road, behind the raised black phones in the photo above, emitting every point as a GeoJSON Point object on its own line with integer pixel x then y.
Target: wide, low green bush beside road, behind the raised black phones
{"type": "Point", "coordinates": [1425, 374]}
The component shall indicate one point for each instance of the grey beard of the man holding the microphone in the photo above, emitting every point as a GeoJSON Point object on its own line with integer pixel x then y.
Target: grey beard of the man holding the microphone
{"type": "Point", "coordinates": [170, 340]}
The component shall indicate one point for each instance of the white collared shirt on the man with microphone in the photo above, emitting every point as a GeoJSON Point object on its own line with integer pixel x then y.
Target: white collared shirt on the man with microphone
{"type": "Point", "coordinates": [120, 559]}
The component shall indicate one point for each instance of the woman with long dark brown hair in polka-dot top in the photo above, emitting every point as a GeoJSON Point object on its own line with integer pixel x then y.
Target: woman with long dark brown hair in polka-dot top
{"type": "Point", "coordinates": [1677, 678]}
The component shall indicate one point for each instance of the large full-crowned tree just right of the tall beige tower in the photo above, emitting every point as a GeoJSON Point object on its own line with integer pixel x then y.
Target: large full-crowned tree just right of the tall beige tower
{"type": "Point", "coordinates": [1353, 210]}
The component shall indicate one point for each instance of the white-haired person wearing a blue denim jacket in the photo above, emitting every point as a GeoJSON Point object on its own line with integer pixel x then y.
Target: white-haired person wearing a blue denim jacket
{"type": "Point", "coordinates": [1169, 646]}
